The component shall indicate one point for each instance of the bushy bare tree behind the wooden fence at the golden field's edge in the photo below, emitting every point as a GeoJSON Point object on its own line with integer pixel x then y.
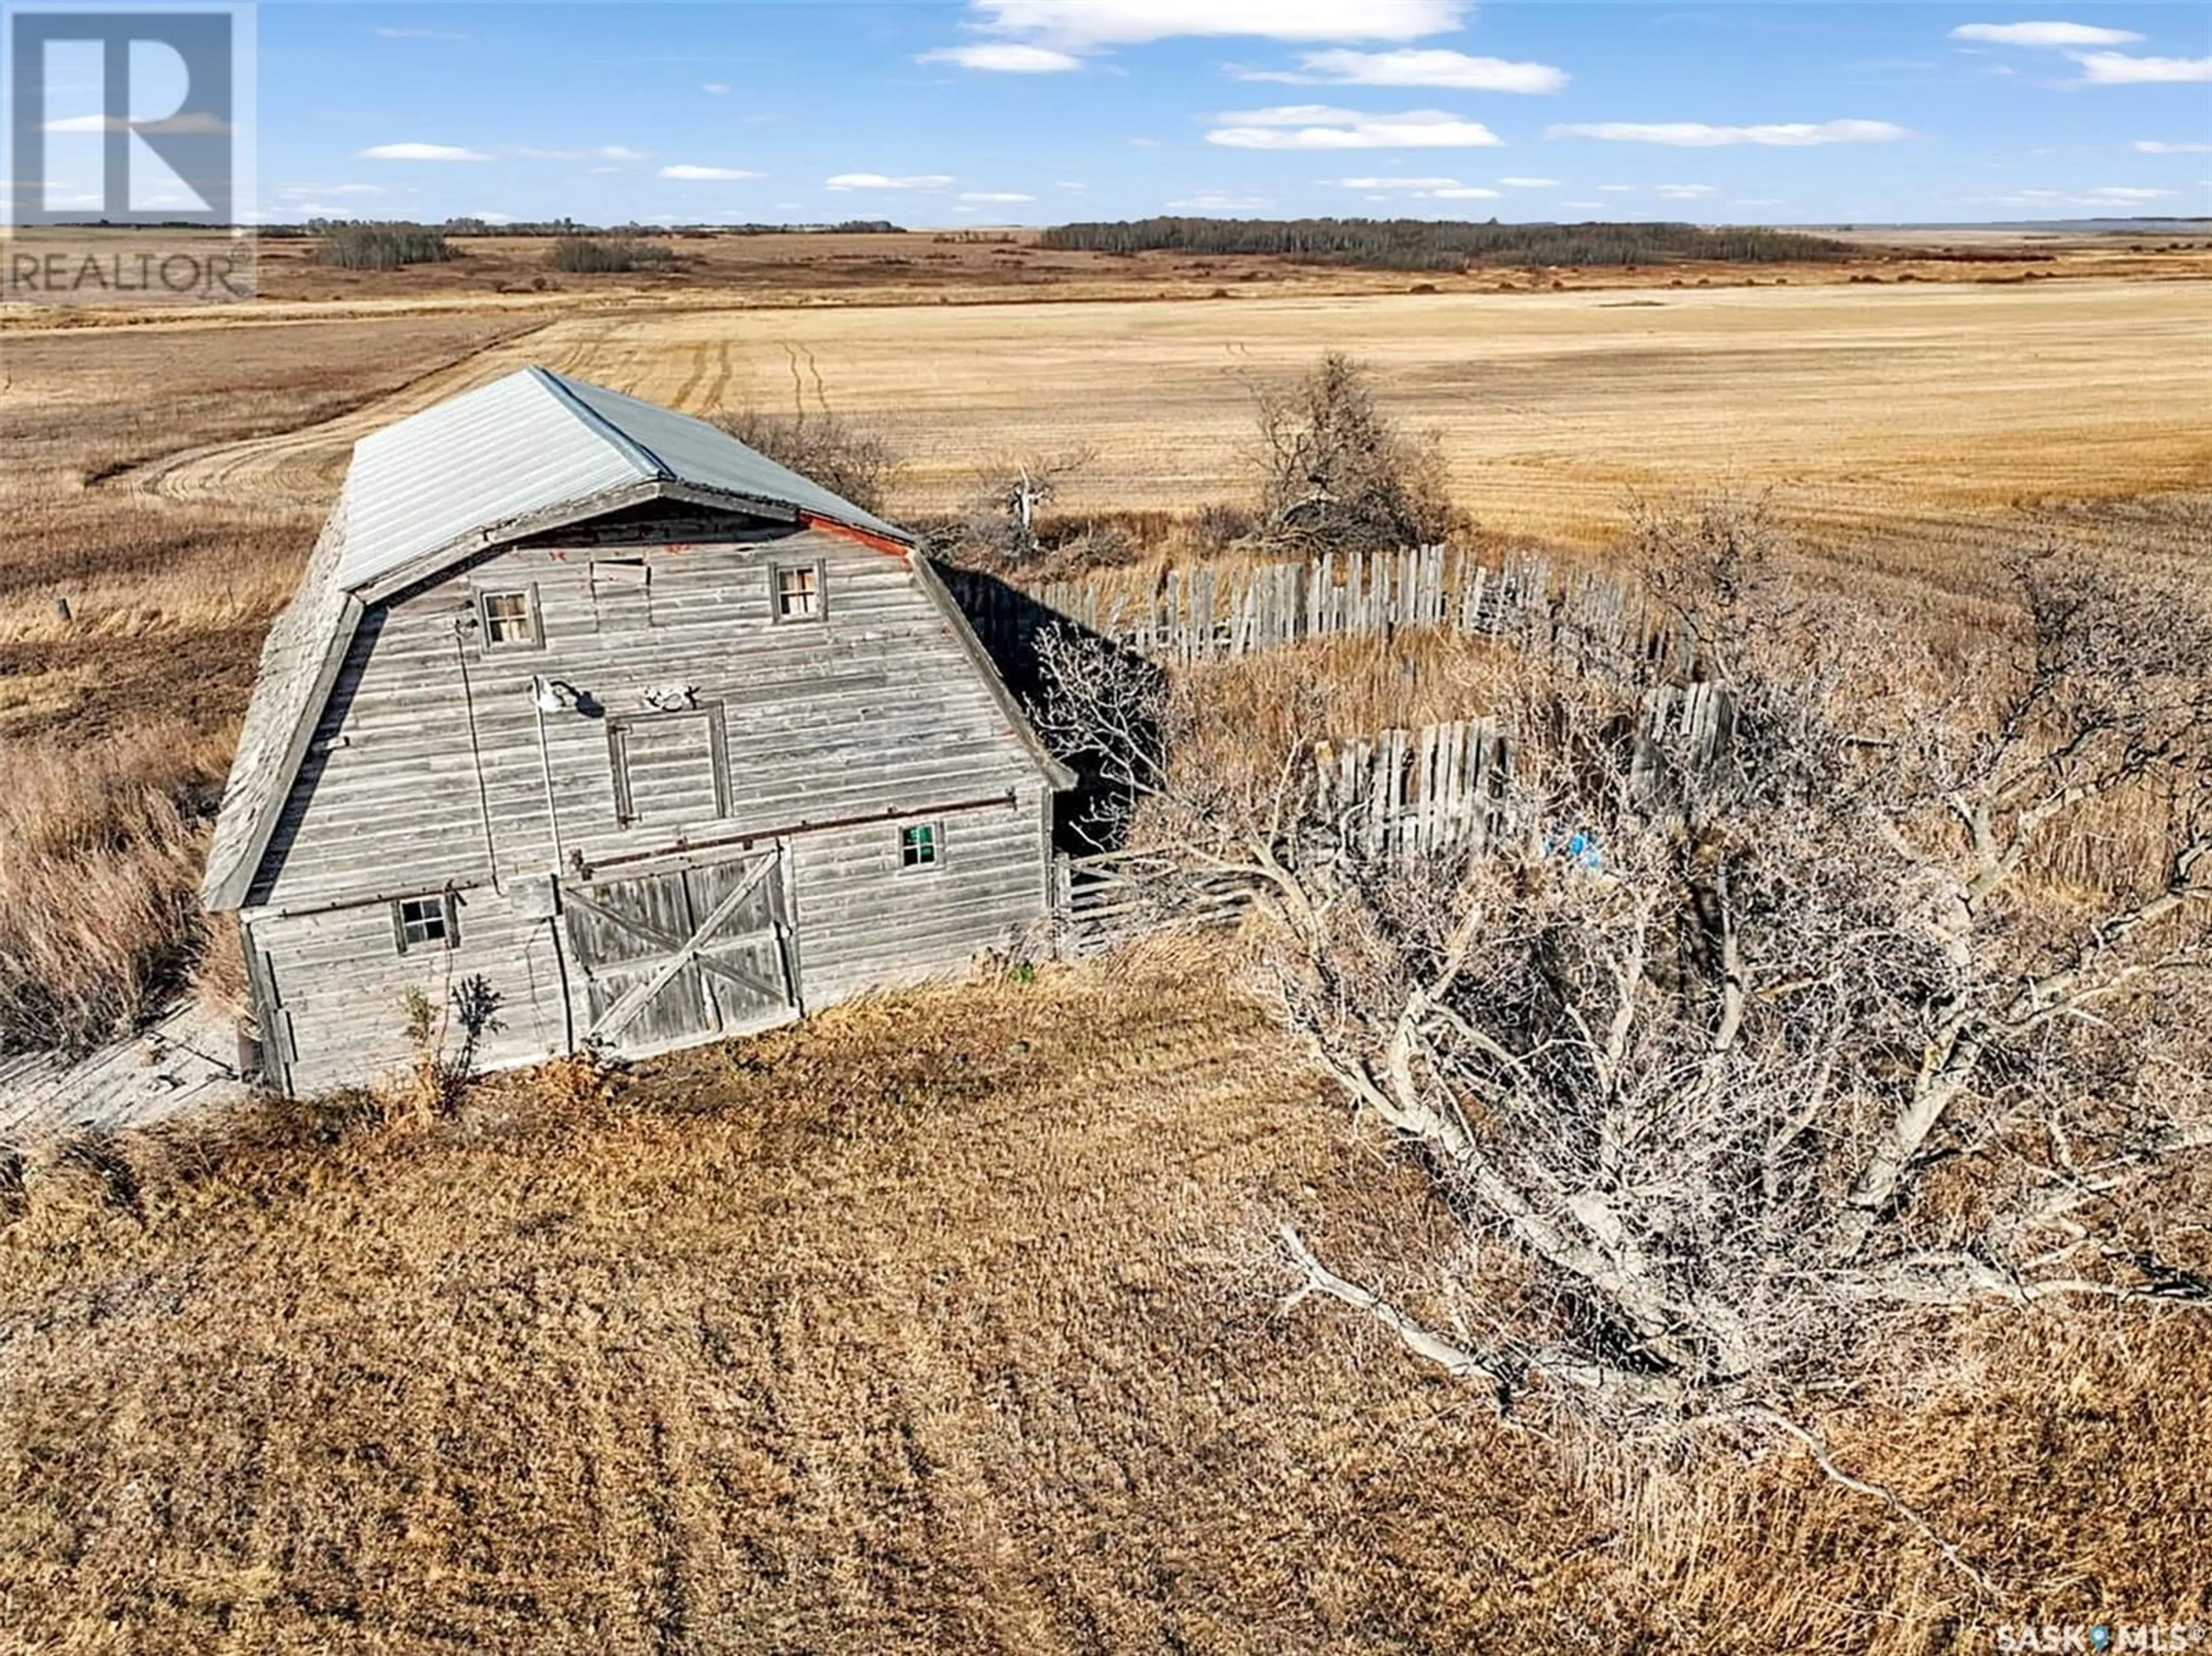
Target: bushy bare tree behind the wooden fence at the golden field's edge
{"type": "Point", "coordinates": [1339, 474]}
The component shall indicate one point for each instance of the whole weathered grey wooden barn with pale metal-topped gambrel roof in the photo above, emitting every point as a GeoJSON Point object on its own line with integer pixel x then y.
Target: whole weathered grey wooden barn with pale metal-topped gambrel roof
{"type": "Point", "coordinates": [651, 735]}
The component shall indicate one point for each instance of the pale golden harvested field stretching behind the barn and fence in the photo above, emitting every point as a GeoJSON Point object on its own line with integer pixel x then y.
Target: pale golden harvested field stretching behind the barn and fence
{"type": "Point", "coordinates": [1848, 403]}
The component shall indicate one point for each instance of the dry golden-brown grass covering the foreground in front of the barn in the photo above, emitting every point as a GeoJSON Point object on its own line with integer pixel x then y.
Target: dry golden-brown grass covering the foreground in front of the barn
{"type": "Point", "coordinates": [943, 1323]}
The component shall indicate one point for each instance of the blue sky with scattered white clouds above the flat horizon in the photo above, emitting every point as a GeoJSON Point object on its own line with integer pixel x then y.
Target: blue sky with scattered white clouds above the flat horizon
{"type": "Point", "coordinates": [1034, 112]}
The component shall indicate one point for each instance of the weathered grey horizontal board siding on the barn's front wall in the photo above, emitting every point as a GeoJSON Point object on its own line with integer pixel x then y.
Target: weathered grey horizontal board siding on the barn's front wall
{"type": "Point", "coordinates": [426, 771]}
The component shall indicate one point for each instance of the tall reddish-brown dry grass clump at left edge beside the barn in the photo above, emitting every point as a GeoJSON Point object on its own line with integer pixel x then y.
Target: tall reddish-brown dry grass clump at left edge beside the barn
{"type": "Point", "coordinates": [101, 861]}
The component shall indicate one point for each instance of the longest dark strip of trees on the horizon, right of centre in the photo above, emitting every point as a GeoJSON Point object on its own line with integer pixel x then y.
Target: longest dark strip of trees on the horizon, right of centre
{"type": "Point", "coordinates": [1423, 244]}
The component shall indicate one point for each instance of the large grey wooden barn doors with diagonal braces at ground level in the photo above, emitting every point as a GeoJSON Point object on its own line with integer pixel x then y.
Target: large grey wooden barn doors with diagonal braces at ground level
{"type": "Point", "coordinates": [685, 956]}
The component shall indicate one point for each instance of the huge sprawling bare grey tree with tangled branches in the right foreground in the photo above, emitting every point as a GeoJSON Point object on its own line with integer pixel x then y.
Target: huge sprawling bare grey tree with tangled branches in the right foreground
{"type": "Point", "coordinates": [1744, 1060]}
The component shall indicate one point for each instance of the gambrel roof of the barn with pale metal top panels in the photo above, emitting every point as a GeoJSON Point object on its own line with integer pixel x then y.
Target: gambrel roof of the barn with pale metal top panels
{"type": "Point", "coordinates": [512, 459]}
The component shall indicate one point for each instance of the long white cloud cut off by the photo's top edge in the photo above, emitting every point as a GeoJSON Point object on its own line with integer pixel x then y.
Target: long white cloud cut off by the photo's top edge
{"type": "Point", "coordinates": [1134, 23]}
